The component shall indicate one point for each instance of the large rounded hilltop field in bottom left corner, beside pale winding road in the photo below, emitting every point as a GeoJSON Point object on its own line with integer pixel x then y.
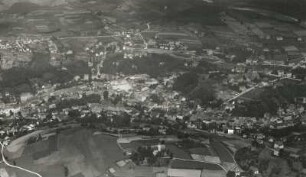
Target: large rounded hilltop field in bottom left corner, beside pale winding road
{"type": "Point", "coordinates": [78, 151]}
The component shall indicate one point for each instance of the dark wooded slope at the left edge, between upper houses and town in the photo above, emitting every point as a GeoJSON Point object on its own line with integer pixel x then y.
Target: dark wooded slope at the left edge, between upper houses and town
{"type": "Point", "coordinates": [19, 80]}
